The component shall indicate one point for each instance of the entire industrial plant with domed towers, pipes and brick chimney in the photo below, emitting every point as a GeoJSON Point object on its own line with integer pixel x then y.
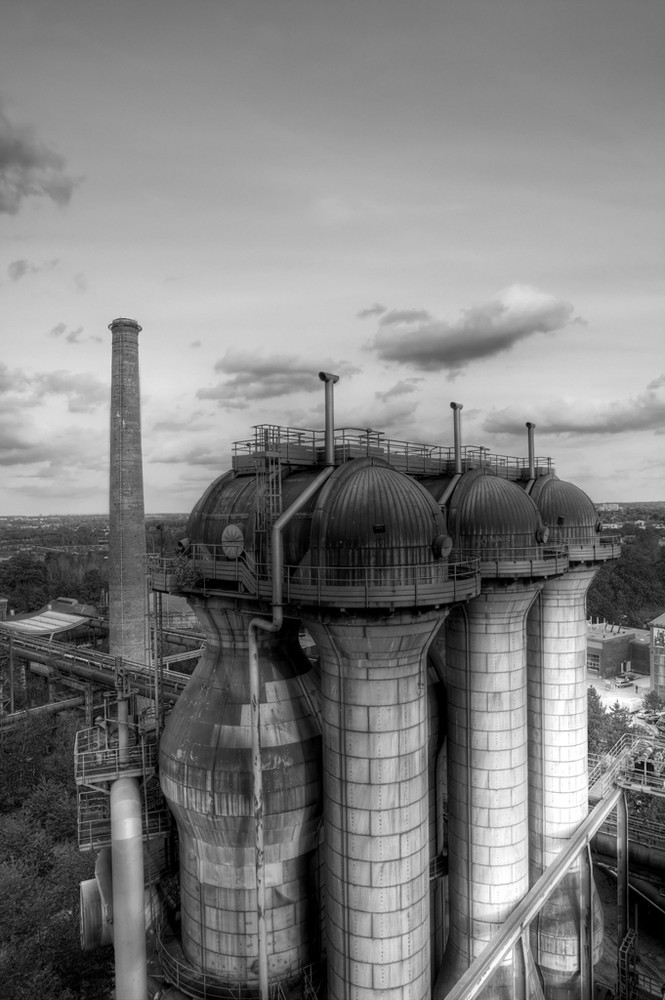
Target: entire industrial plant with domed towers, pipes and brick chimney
{"type": "Point", "coordinates": [381, 755]}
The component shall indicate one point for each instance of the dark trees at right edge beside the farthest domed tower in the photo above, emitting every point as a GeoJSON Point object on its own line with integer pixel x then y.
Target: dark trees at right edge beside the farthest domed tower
{"type": "Point", "coordinates": [630, 590]}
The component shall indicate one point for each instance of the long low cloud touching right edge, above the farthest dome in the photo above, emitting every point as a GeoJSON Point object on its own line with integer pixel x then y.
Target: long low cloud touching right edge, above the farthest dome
{"type": "Point", "coordinates": [645, 412]}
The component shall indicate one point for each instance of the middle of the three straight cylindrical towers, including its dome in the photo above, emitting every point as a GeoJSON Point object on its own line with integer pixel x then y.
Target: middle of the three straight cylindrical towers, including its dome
{"type": "Point", "coordinates": [485, 657]}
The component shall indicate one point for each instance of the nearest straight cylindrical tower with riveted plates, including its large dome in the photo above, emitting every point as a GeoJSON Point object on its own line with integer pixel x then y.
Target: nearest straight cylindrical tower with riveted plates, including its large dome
{"type": "Point", "coordinates": [381, 599]}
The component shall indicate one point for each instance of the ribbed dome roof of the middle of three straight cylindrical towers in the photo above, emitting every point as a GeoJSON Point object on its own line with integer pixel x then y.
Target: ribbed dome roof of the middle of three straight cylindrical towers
{"type": "Point", "coordinates": [486, 506]}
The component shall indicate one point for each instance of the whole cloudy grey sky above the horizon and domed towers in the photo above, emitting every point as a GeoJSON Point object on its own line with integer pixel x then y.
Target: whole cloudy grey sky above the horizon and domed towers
{"type": "Point", "coordinates": [453, 200]}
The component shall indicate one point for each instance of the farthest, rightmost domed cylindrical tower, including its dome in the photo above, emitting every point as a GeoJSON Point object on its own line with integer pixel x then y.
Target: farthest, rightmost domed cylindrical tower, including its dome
{"type": "Point", "coordinates": [558, 751]}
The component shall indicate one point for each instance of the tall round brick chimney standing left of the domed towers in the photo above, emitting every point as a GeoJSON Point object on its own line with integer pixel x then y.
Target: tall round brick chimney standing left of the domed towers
{"type": "Point", "coordinates": [127, 596]}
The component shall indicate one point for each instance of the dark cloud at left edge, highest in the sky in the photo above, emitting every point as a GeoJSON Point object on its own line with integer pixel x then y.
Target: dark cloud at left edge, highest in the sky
{"type": "Point", "coordinates": [29, 168]}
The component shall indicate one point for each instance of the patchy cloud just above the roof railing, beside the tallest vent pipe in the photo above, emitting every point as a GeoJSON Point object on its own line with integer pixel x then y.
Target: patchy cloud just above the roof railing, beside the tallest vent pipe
{"type": "Point", "coordinates": [252, 377]}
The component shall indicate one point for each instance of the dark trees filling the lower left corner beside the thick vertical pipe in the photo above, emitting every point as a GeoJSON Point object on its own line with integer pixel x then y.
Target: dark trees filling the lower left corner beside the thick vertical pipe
{"type": "Point", "coordinates": [41, 868]}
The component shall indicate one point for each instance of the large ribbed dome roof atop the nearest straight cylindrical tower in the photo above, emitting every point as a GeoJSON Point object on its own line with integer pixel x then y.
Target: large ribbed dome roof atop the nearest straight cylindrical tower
{"type": "Point", "coordinates": [367, 504]}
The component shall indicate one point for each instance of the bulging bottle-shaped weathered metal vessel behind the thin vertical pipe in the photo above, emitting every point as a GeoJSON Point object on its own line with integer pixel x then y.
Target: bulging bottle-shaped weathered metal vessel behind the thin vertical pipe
{"type": "Point", "coordinates": [206, 776]}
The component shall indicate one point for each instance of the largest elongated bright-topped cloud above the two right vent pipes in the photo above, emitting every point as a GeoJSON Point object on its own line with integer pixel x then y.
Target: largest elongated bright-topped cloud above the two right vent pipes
{"type": "Point", "coordinates": [414, 338]}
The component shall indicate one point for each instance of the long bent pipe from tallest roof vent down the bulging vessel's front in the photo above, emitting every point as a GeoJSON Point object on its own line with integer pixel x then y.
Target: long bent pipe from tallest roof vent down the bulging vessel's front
{"type": "Point", "coordinates": [274, 625]}
